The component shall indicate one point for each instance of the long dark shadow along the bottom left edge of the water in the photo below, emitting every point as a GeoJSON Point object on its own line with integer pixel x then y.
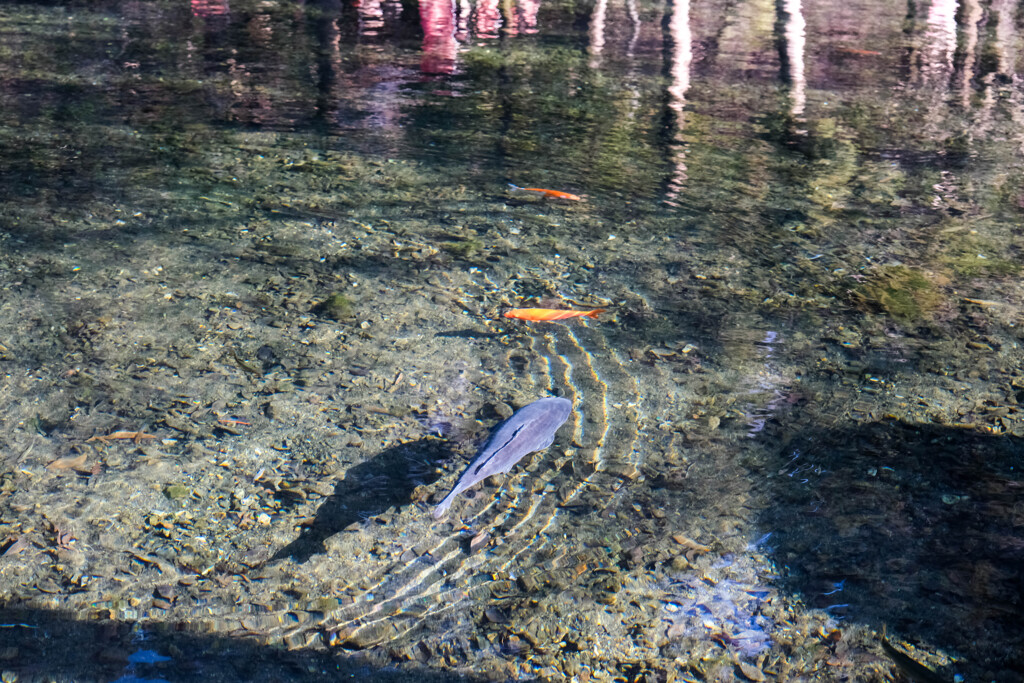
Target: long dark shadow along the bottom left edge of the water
{"type": "Point", "coordinates": [54, 647]}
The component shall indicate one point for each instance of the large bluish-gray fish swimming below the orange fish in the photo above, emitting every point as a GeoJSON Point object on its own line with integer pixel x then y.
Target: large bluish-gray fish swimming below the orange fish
{"type": "Point", "coordinates": [532, 429]}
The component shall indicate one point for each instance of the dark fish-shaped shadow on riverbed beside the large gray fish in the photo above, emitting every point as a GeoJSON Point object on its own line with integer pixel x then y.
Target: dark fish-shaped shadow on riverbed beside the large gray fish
{"type": "Point", "coordinates": [368, 491]}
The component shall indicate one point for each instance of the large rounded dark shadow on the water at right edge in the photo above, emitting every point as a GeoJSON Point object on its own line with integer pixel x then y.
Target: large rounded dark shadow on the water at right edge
{"type": "Point", "coordinates": [920, 528]}
